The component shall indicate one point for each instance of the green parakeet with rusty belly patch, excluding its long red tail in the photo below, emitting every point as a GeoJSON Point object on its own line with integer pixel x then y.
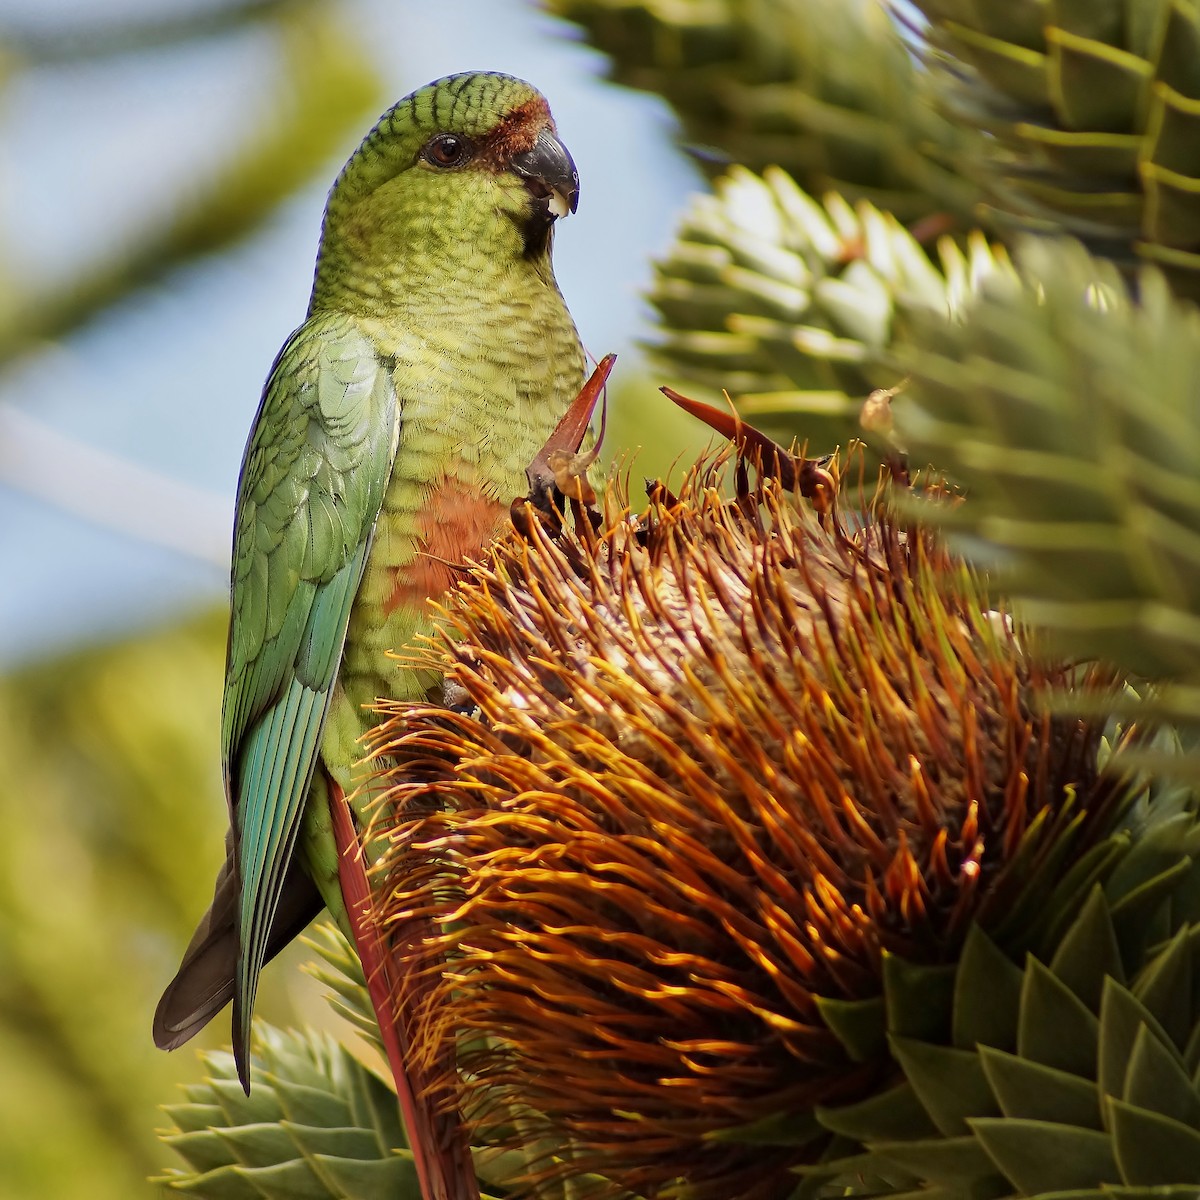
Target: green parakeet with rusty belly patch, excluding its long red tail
{"type": "Point", "coordinates": [394, 431]}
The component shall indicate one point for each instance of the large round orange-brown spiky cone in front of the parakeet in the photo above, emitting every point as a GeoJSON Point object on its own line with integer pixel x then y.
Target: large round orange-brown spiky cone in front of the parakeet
{"type": "Point", "coordinates": [724, 759]}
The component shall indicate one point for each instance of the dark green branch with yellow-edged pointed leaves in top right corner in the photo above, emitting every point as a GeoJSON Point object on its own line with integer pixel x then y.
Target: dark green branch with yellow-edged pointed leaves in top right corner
{"type": "Point", "coordinates": [1094, 125]}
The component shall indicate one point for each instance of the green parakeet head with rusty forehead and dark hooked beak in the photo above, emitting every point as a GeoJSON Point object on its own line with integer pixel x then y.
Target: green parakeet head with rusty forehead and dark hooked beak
{"type": "Point", "coordinates": [467, 163]}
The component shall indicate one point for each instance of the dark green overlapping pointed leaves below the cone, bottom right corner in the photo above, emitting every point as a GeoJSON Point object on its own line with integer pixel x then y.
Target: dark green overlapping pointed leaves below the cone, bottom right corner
{"type": "Point", "coordinates": [1113, 1091]}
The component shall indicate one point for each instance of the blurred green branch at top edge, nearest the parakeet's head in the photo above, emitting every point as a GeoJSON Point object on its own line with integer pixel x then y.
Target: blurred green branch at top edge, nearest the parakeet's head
{"type": "Point", "coordinates": [826, 91]}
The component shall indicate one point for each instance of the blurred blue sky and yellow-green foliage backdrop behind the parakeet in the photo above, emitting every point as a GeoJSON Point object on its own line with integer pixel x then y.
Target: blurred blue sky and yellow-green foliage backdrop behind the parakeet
{"type": "Point", "coordinates": [163, 175]}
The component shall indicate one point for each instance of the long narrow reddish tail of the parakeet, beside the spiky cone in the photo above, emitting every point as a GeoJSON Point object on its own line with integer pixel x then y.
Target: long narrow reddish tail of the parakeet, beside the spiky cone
{"type": "Point", "coordinates": [437, 1141]}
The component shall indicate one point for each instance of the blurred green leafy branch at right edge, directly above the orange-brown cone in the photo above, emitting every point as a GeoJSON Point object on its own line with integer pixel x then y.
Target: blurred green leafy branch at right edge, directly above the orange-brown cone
{"type": "Point", "coordinates": [1069, 412]}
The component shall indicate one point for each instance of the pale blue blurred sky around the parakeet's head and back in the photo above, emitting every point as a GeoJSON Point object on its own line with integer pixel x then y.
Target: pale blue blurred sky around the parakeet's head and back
{"type": "Point", "coordinates": [170, 383]}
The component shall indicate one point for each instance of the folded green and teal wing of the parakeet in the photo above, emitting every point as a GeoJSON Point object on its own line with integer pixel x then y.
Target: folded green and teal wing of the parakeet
{"type": "Point", "coordinates": [313, 483]}
